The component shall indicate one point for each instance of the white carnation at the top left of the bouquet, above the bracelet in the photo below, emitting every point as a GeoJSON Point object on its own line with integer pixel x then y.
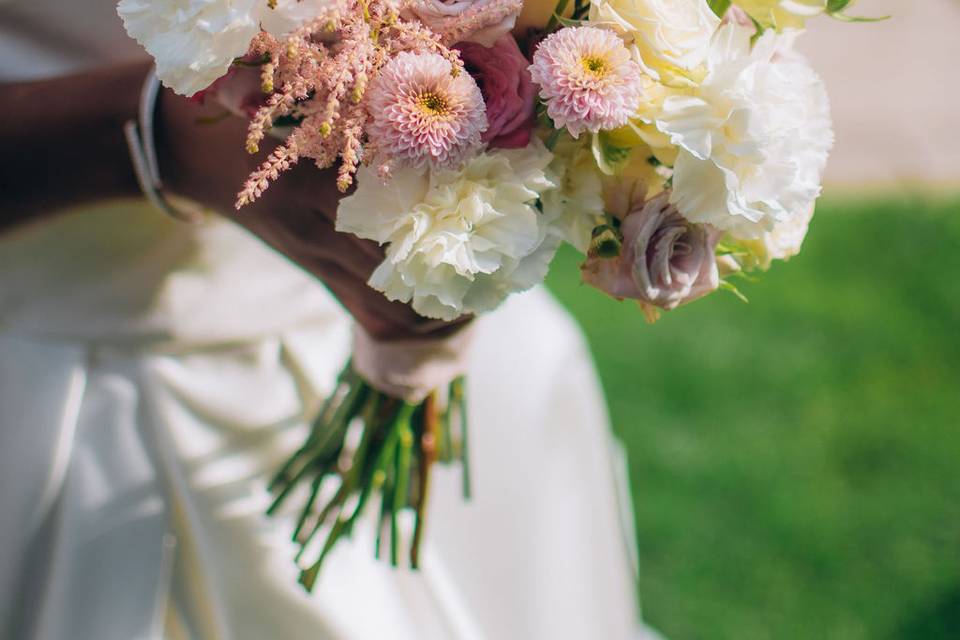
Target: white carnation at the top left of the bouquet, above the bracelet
{"type": "Point", "coordinates": [194, 41]}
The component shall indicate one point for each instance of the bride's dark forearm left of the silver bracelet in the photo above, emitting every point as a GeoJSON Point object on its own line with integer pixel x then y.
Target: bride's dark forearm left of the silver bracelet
{"type": "Point", "coordinates": [62, 143]}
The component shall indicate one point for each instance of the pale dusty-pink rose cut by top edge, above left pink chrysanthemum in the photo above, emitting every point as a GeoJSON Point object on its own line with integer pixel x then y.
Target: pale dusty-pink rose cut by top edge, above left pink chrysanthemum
{"type": "Point", "coordinates": [446, 16]}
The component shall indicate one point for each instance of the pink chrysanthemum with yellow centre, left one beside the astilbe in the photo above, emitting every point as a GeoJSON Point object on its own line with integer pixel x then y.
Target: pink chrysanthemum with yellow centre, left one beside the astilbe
{"type": "Point", "coordinates": [422, 114]}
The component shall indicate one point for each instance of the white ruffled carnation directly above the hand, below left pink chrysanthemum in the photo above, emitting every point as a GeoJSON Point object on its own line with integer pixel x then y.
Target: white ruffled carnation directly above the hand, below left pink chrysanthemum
{"type": "Point", "coordinates": [459, 241]}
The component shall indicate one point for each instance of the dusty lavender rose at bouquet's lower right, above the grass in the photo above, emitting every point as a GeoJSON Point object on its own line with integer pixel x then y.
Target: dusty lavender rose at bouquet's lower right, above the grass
{"type": "Point", "coordinates": [665, 261]}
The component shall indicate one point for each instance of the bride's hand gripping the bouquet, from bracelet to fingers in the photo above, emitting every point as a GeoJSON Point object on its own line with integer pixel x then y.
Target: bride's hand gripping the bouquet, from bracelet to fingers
{"type": "Point", "coordinates": [207, 163]}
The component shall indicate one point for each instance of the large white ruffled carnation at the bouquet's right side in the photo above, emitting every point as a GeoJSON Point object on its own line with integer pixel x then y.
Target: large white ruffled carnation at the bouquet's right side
{"type": "Point", "coordinates": [753, 138]}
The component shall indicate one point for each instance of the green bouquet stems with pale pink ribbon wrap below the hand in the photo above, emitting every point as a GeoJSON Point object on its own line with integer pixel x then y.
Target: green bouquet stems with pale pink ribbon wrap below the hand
{"type": "Point", "coordinates": [397, 408]}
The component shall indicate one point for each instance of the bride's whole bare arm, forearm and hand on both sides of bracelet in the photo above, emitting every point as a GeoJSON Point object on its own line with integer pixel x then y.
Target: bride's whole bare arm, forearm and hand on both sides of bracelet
{"type": "Point", "coordinates": [62, 145]}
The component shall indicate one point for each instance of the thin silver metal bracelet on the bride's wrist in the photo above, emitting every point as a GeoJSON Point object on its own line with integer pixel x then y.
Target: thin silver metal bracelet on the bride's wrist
{"type": "Point", "coordinates": [143, 153]}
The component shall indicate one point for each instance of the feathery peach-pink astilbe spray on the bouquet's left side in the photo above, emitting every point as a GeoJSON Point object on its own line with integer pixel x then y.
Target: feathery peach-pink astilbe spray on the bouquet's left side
{"type": "Point", "coordinates": [320, 79]}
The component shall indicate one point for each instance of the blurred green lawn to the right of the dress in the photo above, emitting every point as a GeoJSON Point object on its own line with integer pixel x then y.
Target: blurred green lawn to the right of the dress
{"type": "Point", "coordinates": [795, 461]}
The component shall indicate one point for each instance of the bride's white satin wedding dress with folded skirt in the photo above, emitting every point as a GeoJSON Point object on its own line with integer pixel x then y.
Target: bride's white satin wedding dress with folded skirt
{"type": "Point", "coordinates": [154, 374]}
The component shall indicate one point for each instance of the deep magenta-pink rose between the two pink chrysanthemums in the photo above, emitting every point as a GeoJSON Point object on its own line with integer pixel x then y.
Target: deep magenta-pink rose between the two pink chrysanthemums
{"type": "Point", "coordinates": [509, 93]}
